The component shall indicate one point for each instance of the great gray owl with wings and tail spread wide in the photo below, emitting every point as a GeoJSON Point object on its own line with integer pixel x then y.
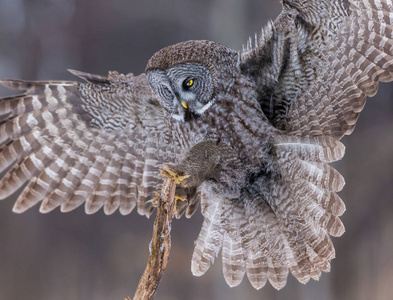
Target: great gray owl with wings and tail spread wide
{"type": "Point", "coordinates": [247, 134]}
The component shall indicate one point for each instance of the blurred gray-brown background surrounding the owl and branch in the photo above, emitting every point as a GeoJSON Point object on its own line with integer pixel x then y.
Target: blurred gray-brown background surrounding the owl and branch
{"type": "Point", "coordinates": [75, 256]}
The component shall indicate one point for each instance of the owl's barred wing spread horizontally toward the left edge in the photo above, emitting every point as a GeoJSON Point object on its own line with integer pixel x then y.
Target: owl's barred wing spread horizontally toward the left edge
{"type": "Point", "coordinates": [99, 143]}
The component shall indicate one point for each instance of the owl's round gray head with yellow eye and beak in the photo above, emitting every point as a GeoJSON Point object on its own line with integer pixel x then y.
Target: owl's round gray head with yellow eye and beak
{"type": "Point", "coordinates": [189, 77]}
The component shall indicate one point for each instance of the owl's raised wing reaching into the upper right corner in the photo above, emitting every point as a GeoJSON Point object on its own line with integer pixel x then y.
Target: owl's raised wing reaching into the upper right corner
{"type": "Point", "coordinates": [318, 61]}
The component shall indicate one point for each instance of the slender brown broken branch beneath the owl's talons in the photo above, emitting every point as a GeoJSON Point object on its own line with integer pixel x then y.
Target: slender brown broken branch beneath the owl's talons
{"type": "Point", "coordinates": [160, 244]}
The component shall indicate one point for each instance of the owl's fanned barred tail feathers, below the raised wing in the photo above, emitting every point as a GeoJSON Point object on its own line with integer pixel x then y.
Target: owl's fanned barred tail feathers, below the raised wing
{"type": "Point", "coordinates": [278, 225]}
